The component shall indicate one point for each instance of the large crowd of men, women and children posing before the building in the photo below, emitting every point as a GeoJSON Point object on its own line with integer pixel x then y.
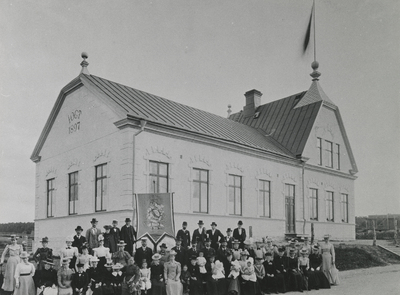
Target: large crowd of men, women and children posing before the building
{"type": "Point", "coordinates": [206, 262]}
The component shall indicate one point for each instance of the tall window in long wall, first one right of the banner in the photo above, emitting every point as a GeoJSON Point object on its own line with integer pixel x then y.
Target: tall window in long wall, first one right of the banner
{"type": "Point", "coordinates": [200, 190]}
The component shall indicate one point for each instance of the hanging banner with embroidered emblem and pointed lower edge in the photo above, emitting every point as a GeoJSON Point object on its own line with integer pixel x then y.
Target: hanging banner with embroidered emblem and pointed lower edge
{"type": "Point", "coordinates": [155, 215]}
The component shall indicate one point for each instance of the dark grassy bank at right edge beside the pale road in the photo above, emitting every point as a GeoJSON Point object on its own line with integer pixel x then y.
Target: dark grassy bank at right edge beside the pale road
{"type": "Point", "coordinates": [362, 256]}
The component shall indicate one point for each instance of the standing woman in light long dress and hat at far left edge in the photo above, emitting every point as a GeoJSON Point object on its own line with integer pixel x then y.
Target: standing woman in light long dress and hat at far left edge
{"type": "Point", "coordinates": [13, 251]}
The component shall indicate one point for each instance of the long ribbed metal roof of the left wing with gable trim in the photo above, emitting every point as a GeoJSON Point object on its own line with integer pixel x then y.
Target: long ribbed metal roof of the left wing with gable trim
{"type": "Point", "coordinates": [142, 105]}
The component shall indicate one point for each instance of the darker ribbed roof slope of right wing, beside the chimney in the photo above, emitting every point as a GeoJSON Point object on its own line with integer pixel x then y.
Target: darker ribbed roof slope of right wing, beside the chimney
{"type": "Point", "coordinates": [282, 121]}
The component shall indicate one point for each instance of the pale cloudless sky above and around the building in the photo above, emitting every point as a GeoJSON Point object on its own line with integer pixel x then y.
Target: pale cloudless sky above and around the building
{"type": "Point", "coordinates": [204, 54]}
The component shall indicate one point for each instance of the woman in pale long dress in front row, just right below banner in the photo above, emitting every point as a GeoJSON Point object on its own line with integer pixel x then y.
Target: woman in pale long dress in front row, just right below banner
{"type": "Point", "coordinates": [172, 273]}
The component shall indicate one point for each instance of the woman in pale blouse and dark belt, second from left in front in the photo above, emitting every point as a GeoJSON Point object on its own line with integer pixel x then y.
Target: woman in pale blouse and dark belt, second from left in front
{"type": "Point", "coordinates": [24, 284]}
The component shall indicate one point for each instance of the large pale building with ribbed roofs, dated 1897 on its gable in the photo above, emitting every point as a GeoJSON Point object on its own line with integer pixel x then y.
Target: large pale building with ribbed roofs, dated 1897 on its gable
{"type": "Point", "coordinates": [276, 166]}
